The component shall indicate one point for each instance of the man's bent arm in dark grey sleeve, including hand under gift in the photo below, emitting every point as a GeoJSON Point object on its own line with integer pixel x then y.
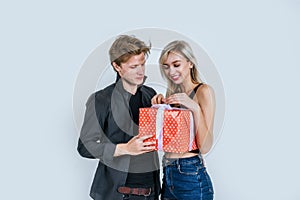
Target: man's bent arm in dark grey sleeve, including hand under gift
{"type": "Point", "coordinates": [93, 143]}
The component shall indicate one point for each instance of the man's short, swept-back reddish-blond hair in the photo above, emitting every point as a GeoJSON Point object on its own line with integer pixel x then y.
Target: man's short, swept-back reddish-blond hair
{"type": "Point", "coordinates": [125, 46]}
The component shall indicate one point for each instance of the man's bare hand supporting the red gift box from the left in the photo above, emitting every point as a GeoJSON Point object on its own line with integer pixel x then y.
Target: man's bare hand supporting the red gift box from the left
{"type": "Point", "coordinates": [135, 146]}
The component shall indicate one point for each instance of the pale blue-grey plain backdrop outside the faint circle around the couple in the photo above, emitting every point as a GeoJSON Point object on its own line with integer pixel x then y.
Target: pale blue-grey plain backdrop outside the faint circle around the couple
{"type": "Point", "coordinates": [254, 45]}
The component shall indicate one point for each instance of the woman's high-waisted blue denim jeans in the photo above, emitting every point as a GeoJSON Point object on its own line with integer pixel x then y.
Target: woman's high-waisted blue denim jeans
{"type": "Point", "coordinates": [186, 179]}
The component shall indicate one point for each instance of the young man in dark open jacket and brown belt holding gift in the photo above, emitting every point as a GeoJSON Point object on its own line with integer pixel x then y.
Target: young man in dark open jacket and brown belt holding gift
{"type": "Point", "coordinates": [128, 167]}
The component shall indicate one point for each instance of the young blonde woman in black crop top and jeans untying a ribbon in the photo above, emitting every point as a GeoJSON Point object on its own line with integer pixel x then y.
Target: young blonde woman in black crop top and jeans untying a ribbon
{"type": "Point", "coordinates": [185, 176]}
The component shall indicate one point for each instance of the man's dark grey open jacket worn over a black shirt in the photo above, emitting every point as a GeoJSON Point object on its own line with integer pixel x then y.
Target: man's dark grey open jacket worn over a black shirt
{"type": "Point", "coordinates": [107, 122]}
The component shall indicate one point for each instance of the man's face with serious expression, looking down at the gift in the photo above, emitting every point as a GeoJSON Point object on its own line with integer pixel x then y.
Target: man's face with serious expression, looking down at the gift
{"type": "Point", "coordinates": [132, 72]}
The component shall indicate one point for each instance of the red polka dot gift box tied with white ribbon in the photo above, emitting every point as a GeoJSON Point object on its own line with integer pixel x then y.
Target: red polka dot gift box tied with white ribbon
{"type": "Point", "coordinates": [172, 128]}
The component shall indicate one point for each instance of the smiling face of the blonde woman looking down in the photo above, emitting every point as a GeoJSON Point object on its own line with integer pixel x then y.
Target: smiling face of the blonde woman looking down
{"type": "Point", "coordinates": [177, 68]}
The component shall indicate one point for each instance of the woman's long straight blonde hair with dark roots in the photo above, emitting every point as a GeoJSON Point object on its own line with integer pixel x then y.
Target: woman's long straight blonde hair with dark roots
{"type": "Point", "coordinates": [185, 50]}
